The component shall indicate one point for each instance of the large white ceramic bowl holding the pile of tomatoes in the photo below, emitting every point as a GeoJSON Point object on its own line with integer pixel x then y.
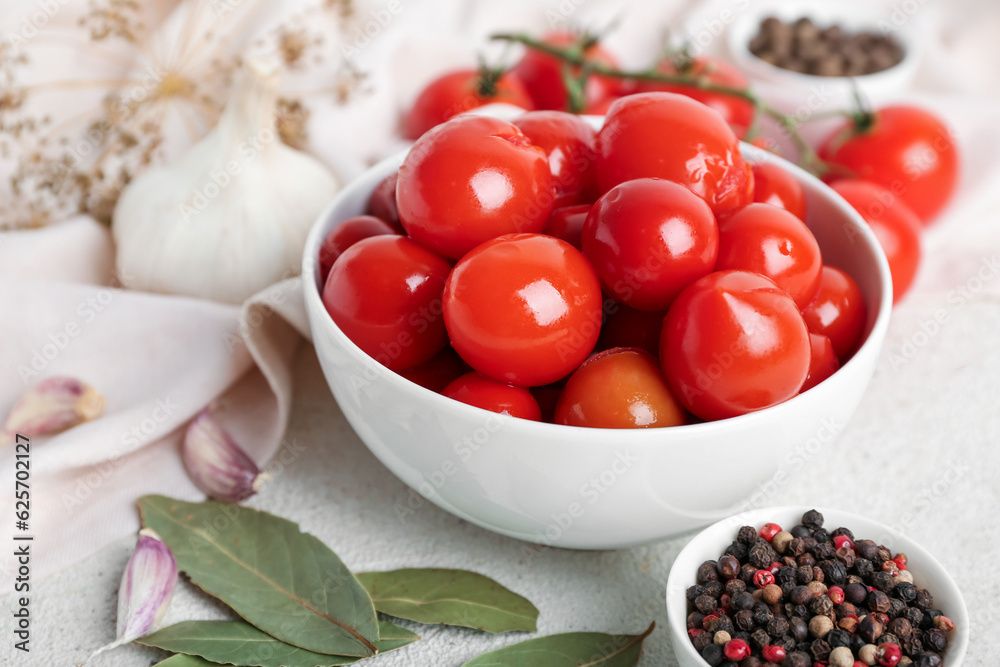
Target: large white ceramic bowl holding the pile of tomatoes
{"type": "Point", "coordinates": [590, 488]}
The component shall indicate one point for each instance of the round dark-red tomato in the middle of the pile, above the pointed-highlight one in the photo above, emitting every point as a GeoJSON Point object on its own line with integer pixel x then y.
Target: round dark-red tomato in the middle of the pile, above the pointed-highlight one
{"type": "Point", "coordinates": [648, 239]}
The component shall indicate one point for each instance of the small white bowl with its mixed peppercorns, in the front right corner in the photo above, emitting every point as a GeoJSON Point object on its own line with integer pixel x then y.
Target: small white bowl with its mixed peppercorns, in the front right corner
{"type": "Point", "coordinates": [748, 592]}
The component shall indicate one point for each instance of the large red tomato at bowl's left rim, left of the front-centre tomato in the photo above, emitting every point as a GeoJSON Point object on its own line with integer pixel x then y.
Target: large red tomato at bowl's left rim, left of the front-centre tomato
{"type": "Point", "coordinates": [385, 294]}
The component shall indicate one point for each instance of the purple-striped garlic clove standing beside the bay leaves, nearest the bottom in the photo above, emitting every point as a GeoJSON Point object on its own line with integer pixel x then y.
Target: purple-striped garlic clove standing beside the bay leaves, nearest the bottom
{"type": "Point", "coordinates": [146, 590]}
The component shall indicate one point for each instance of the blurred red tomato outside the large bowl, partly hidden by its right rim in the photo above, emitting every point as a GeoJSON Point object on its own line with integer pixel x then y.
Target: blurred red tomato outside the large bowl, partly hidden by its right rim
{"type": "Point", "coordinates": [894, 224]}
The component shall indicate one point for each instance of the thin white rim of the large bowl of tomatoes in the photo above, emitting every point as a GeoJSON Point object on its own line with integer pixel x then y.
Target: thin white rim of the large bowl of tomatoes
{"type": "Point", "coordinates": [635, 437]}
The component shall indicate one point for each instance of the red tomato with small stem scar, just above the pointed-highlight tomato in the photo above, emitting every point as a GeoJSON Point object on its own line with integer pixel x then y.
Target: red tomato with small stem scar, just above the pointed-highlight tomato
{"type": "Point", "coordinates": [771, 241]}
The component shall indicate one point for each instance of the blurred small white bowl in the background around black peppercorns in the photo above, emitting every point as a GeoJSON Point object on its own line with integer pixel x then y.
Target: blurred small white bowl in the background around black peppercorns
{"type": "Point", "coordinates": [794, 90]}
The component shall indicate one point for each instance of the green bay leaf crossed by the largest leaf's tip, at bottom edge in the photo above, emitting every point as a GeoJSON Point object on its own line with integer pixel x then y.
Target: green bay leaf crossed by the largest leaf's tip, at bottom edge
{"type": "Point", "coordinates": [239, 643]}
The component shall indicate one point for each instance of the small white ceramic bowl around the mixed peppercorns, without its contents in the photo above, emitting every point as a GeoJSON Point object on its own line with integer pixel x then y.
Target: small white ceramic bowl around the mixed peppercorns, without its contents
{"type": "Point", "coordinates": [710, 543]}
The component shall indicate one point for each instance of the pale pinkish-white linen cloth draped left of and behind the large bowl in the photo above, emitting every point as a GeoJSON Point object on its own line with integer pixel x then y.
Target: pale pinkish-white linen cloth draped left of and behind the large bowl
{"type": "Point", "coordinates": [159, 359]}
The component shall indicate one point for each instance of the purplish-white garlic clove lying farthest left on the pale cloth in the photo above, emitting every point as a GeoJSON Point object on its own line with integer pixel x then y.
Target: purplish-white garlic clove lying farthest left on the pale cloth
{"type": "Point", "coordinates": [54, 404]}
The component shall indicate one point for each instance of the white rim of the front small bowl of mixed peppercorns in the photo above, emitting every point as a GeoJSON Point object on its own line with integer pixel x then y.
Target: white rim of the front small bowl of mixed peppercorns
{"type": "Point", "coordinates": [933, 570]}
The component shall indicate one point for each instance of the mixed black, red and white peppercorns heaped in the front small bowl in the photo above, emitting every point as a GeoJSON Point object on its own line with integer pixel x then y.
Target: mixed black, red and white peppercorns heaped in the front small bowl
{"type": "Point", "coordinates": [809, 597]}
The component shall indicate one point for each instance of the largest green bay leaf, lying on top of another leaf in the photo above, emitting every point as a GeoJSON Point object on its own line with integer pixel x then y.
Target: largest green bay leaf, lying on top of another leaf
{"type": "Point", "coordinates": [286, 582]}
